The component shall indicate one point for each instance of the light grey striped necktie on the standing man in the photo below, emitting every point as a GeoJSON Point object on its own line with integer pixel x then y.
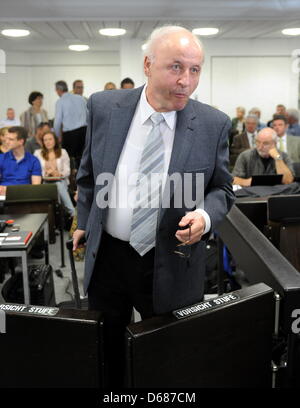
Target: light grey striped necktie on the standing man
{"type": "Point", "coordinates": [145, 213]}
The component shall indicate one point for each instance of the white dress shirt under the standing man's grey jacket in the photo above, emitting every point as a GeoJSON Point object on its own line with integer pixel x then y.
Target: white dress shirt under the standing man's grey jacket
{"type": "Point", "coordinates": [118, 223]}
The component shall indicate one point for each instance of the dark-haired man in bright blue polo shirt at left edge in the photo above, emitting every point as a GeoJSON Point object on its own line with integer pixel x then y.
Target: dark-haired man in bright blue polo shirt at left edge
{"type": "Point", "coordinates": [18, 166]}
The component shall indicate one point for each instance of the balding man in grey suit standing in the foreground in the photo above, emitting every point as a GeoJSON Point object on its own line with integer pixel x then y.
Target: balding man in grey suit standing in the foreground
{"type": "Point", "coordinates": [125, 266]}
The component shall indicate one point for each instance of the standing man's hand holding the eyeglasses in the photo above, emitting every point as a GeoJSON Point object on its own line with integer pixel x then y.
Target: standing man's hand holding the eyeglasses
{"type": "Point", "coordinates": [197, 223]}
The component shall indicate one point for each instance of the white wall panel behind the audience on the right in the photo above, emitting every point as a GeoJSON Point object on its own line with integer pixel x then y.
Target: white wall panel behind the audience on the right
{"type": "Point", "coordinates": [252, 81]}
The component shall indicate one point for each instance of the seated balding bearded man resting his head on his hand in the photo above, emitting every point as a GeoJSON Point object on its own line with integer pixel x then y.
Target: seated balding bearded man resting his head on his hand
{"type": "Point", "coordinates": [263, 159]}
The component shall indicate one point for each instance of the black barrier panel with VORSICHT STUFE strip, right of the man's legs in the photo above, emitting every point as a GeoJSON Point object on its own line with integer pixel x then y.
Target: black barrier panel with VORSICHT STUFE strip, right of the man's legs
{"type": "Point", "coordinates": [225, 346]}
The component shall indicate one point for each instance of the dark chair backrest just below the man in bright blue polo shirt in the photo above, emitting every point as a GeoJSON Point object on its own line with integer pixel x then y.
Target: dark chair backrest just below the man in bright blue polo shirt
{"type": "Point", "coordinates": [29, 192]}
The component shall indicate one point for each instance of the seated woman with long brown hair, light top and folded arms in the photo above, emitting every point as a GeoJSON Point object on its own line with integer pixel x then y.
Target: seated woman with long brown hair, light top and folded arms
{"type": "Point", "coordinates": [55, 163]}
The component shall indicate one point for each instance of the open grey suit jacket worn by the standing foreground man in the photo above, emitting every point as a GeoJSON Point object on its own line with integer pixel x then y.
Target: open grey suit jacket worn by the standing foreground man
{"type": "Point", "coordinates": [200, 146]}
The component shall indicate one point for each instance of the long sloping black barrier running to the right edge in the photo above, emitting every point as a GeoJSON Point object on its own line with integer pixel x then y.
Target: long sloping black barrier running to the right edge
{"type": "Point", "coordinates": [262, 262]}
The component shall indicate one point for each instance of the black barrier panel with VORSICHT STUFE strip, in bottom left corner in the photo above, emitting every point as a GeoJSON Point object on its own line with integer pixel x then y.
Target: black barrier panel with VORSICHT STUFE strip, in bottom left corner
{"type": "Point", "coordinates": [60, 348]}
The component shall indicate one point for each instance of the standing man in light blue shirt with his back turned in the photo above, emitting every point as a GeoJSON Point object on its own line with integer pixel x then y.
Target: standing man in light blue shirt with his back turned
{"type": "Point", "coordinates": [70, 121]}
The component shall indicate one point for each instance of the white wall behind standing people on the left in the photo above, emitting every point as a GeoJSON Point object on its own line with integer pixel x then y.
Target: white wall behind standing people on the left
{"type": "Point", "coordinates": [40, 71]}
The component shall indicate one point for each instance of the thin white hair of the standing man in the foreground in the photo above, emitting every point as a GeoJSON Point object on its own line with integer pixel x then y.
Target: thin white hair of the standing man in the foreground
{"type": "Point", "coordinates": [163, 31]}
